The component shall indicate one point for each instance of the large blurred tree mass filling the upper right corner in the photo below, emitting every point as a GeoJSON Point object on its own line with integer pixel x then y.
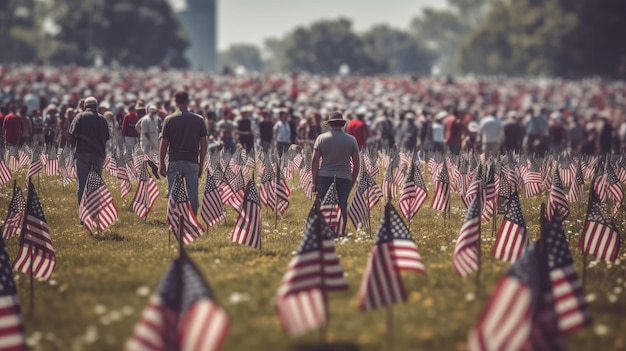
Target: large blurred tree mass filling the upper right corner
{"type": "Point", "coordinates": [554, 37]}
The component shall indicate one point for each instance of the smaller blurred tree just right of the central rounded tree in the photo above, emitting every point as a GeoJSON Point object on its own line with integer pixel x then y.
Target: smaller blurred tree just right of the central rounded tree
{"type": "Point", "coordinates": [403, 52]}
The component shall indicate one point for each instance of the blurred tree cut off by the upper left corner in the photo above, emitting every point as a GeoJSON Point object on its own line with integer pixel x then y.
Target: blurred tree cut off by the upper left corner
{"type": "Point", "coordinates": [19, 31]}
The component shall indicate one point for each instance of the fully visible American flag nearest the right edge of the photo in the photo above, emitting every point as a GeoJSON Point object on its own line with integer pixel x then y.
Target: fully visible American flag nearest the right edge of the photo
{"type": "Point", "coordinates": [600, 236]}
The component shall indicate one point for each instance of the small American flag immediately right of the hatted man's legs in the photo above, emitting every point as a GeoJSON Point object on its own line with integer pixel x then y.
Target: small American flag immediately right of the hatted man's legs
{"type": "Point", "coordinates": [366, 197]}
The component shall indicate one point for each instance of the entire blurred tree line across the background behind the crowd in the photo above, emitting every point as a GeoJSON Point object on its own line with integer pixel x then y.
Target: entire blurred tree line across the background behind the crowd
{"type": "Point", "coordinates": [568, 38]}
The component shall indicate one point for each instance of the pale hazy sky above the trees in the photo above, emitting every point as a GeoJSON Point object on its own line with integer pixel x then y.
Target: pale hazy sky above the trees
{"type": "Point", "coordinates": [251, 21]}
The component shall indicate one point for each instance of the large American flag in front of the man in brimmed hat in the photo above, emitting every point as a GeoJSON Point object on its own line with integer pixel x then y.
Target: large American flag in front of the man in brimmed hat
{"type": "Point", "coordinates": [301, 303]}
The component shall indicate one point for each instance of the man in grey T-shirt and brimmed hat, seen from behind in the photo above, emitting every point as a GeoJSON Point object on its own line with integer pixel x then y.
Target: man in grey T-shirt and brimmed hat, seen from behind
{"type": "Point", "coordinates": [336, 149]}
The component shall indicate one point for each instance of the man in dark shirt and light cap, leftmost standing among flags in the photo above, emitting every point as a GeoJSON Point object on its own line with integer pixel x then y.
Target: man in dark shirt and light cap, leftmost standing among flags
{"type": "Point", "coordinates": [89, 131]}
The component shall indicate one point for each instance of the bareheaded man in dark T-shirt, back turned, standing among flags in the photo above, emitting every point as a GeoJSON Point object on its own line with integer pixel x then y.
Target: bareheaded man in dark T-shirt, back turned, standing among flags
{"type": "Point", "coordinates": [184, 139]}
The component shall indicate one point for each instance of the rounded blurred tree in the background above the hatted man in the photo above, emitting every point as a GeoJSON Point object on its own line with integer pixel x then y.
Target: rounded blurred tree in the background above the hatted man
{"type": "Point", "coordinates": [326, 45]}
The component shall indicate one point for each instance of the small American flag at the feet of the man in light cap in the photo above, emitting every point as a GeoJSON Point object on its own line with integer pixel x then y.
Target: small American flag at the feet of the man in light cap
{"type": "Point", "coordinates": [96, 210]}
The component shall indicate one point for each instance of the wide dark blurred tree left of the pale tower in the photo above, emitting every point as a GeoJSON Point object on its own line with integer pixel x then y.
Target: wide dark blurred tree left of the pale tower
{"type": "Point", "coordinates": [131, 32]}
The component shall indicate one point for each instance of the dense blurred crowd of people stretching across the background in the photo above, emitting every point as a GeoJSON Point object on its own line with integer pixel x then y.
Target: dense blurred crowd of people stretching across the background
{"type": "Point", "coordinates": [272, 112]}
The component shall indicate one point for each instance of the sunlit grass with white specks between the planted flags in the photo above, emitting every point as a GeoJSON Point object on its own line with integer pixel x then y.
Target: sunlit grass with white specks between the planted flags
{"type": "Point", "coordinates": [101, 285]}
